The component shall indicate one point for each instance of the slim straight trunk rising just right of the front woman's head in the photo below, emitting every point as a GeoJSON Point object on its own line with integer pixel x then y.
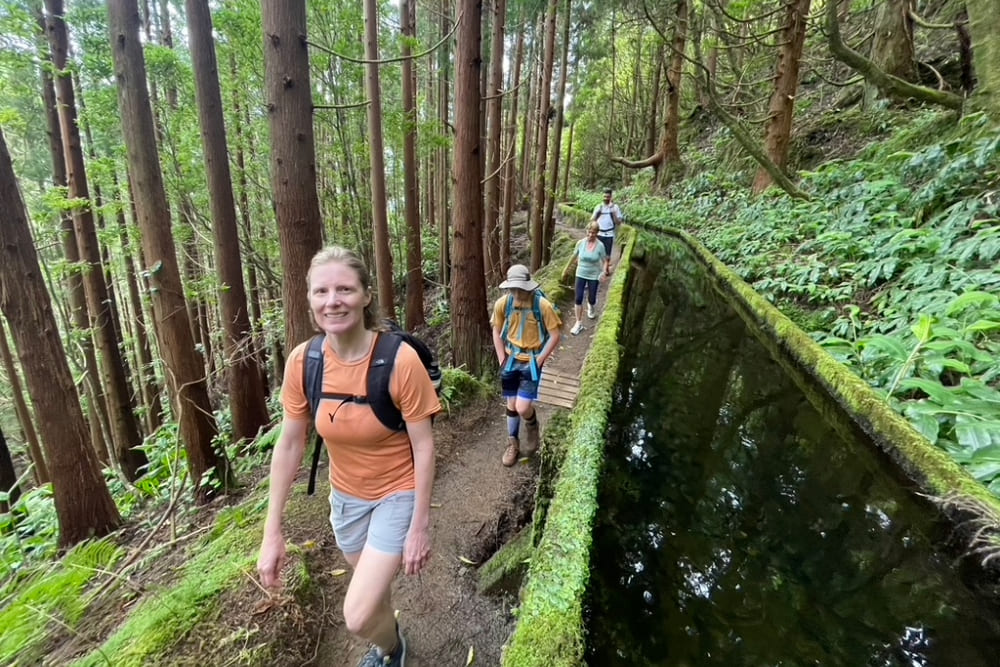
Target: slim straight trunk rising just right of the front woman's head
{"type": "Point", "coordinates": [383, 254]}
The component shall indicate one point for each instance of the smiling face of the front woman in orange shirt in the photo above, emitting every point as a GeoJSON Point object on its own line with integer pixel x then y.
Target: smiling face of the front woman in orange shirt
{"type": "Point", "coordinates": [337, 298]}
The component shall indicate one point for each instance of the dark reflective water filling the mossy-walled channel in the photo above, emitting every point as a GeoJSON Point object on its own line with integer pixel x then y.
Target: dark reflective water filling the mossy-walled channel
{"type": "Point", "coordinates": [736, 527]}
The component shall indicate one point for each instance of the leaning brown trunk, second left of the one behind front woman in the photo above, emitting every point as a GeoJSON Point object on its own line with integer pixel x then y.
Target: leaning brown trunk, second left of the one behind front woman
{"type": "Point", "coordinates": [194, 413]}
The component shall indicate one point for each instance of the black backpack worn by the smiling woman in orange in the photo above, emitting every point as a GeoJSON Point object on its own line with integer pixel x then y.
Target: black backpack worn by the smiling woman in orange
{"type": "Point", "coordinates": [377, 395]}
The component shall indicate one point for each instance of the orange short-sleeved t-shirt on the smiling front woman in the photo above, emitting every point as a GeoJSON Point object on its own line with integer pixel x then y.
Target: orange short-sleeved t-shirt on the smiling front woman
{"type": "Point", "coordinates": [367, 460]}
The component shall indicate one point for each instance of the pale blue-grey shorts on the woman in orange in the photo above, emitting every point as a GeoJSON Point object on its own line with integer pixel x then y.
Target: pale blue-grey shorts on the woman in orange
{"type": "Point", "coordinates": [381, 524]}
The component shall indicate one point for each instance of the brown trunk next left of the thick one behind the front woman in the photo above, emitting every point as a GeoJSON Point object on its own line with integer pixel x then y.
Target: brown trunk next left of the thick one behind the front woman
{"type": "Point", "coordinates": [246, 393]}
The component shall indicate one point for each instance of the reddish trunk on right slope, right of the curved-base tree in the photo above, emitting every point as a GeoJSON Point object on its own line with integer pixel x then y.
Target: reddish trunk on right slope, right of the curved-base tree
{"type": "Point", "coordinates": [786, 84]}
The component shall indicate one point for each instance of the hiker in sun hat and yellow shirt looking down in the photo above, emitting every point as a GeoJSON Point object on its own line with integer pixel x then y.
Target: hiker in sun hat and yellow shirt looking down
{"type": "Point", "coordinates": [526, 329]}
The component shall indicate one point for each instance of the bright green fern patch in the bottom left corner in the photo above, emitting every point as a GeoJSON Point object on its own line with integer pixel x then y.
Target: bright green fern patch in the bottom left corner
{"type": "Point", "coordinates": [50, 596]}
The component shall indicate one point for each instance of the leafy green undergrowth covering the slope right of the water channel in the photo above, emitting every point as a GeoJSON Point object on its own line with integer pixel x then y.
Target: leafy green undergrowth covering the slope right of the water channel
{"type": "Point", "coordinates": [892, 266]}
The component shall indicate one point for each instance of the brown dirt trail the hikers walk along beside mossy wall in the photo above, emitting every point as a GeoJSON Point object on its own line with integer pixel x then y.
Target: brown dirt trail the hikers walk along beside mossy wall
{"type": "Point", "coordinates": [477, 505]}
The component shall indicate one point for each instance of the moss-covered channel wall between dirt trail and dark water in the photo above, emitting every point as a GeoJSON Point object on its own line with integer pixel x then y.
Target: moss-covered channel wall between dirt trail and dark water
{"type": "Point", "coordinates": [549, 629]}
